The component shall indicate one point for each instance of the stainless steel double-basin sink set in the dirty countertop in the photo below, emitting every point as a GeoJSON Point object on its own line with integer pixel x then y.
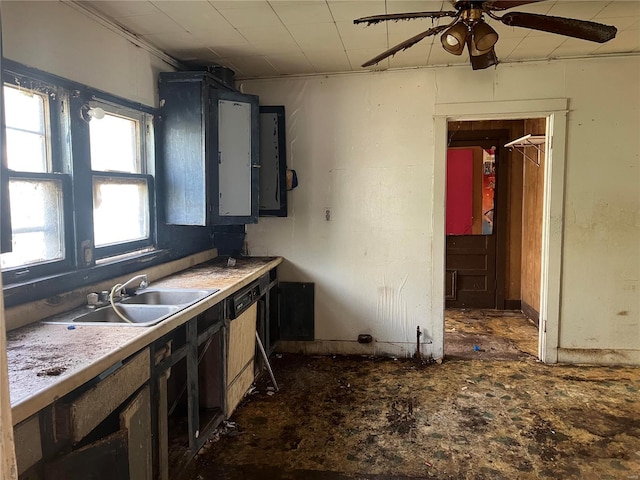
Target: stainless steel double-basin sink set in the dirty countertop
{"type": "Point", "coordinates": [145, 308]}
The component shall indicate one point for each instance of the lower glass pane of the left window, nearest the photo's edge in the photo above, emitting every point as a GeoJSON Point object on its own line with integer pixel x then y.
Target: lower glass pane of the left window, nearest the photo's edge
{"type": "Point", "coordinates": [36, 222]}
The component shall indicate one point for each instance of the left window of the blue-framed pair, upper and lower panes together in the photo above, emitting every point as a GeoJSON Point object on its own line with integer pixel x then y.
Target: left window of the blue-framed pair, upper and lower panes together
{"type": "Point", "coordinates": [36, 190]}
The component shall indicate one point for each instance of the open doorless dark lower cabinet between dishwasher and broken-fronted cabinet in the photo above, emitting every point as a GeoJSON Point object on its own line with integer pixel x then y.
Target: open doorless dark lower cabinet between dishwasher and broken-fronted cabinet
{"type": "Point", "coordinates": [188, 387]}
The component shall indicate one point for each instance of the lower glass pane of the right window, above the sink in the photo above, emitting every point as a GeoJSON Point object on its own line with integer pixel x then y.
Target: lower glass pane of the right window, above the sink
{"type": "Point", "coordinates": [120, 210]}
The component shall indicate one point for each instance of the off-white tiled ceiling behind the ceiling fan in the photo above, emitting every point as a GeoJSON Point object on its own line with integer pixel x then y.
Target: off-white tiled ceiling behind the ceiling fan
{"type": "Point", "coordinates": [259, 38]}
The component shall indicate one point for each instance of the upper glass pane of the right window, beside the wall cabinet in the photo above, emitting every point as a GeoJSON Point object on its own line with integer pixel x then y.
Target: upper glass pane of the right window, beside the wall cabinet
{"type": "Point", "coordinates": [114, 144]}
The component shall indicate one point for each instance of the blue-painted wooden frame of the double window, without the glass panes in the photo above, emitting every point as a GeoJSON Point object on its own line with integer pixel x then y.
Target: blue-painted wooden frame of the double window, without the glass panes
{"type": "Point", "coordinates": [71, 163]}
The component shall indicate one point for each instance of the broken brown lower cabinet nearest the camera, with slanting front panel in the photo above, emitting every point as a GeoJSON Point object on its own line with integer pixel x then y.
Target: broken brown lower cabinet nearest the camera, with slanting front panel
{"type": "Point", "coordinates": [101, 430]}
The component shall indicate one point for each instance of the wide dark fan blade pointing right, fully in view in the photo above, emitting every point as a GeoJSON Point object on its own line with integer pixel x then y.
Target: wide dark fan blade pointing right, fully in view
{"type": "Point", "coordinates": [570, 27]}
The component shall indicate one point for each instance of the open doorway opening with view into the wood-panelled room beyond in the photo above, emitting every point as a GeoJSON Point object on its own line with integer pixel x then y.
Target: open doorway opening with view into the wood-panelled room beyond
{"type": "Point", "coordinates": [493, 241]}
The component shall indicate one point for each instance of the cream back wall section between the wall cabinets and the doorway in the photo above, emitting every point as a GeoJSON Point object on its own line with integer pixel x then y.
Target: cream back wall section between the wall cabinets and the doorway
{"type": "Point", "coordinates": [361, 145]}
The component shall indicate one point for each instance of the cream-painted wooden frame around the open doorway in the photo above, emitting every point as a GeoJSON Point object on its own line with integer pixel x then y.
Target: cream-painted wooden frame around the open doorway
{"type": "Point", "coordinates": [555, 111]}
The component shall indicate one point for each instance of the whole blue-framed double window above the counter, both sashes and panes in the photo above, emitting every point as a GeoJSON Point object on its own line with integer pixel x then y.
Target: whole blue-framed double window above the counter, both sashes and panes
{"type": "Point", "coordinates": [80, 177]}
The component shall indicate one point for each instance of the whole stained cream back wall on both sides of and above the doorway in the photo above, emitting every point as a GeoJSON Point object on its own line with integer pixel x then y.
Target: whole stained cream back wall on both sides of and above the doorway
{"type": "Point", "coordinates": [363, 147]}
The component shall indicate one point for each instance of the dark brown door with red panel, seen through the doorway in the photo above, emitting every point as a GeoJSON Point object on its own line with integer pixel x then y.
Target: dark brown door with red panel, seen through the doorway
{"type": "Point", "coordinates": [477, 168]}
